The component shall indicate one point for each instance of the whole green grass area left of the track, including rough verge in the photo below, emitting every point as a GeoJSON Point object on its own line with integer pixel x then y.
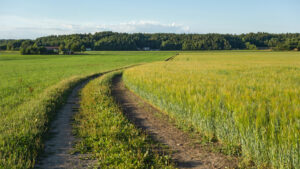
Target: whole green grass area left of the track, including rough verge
{"type": "Point", "coordinates": [33, 86]}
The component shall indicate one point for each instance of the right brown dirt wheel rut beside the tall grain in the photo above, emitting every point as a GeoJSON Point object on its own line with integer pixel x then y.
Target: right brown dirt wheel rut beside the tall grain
{"type": "Point", "coordinates": [187, 154]}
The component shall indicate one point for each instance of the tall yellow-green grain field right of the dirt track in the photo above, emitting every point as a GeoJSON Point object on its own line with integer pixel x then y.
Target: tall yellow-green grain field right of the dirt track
{"type": "Point", "coordinates": [249, 101]}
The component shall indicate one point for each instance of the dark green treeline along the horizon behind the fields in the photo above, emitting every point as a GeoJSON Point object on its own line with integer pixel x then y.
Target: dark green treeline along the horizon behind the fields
{"type": "Point", "coordinates": [157, 41]}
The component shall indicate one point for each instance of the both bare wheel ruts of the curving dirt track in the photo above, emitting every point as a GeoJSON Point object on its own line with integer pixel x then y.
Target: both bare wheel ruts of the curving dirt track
{"type": "Point", "coordinates": [186, 154]}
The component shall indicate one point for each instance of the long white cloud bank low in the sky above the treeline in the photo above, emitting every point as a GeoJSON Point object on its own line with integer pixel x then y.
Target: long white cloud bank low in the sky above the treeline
{"type": "Point", "coordinates": [15, 27]}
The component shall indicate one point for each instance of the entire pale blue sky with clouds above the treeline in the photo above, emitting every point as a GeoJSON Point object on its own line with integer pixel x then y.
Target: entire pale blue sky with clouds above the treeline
{"type": "Point", "coordinates": [29, 19]}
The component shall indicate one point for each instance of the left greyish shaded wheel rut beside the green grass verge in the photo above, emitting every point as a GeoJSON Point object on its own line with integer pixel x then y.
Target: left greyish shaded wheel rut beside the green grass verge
{"type": "Point", "coordinates": [58, 149]}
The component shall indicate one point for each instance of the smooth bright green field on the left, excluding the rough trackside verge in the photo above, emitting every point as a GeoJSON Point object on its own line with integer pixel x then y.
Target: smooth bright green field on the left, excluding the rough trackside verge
{"type": "Point", "coordinates": [25, 76]}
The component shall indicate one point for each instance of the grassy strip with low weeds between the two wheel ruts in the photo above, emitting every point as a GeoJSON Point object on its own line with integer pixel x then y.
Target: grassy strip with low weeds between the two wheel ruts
{"type": "Point", "coordinates": [108, 135]}
